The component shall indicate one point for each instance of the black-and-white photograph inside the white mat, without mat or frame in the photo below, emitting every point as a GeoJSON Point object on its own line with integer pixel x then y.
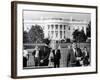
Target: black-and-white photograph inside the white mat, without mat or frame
{"type": "Point", "coordinates": [56, 39]}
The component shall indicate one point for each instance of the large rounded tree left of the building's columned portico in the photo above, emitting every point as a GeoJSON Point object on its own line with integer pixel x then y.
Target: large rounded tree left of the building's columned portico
{"type": "Point", "coordinates": [36, 34]}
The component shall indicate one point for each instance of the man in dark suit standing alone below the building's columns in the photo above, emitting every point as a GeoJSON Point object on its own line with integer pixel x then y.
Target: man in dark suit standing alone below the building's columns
{"type": "Point", "coordinates": [57, 57]}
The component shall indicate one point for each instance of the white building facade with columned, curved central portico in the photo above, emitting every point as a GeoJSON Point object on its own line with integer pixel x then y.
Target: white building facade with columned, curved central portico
{"type": "Point", "coordinates": [57, 28]}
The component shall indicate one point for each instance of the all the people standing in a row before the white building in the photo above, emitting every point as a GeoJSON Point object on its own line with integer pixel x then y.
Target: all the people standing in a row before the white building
{"type": "Point", "coordinates": [45, 56]}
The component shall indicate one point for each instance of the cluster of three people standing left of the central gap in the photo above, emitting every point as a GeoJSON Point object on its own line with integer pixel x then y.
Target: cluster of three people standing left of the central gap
{"type": "Point", "coordinates": [43, 56]}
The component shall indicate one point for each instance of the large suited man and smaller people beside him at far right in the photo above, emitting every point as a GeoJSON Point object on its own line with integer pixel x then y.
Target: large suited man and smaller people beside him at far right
{"type": "Point", "coordinates": [77, 57]}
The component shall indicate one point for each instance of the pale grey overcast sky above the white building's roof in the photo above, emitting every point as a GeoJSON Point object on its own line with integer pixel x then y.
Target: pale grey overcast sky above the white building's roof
{"type": "Point", "coordinates": [31, 15]}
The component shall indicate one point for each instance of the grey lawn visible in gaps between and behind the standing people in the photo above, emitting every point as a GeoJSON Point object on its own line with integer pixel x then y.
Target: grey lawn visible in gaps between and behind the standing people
{"type": "Point", "coordinates": [64, 51]}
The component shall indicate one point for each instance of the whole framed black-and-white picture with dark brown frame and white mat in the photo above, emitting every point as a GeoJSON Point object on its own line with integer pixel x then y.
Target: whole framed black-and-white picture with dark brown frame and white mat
{"type": "Point", "coordinates": [53, 39]}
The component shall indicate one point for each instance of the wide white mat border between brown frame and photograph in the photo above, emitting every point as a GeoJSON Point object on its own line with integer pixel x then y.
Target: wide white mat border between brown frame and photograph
{"type": "Point", "coordinates": [35, 72]}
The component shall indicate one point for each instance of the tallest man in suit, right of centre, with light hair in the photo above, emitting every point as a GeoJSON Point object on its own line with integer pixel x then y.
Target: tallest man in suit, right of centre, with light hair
{"type": "Point", "coordinates": [74, 56]}
